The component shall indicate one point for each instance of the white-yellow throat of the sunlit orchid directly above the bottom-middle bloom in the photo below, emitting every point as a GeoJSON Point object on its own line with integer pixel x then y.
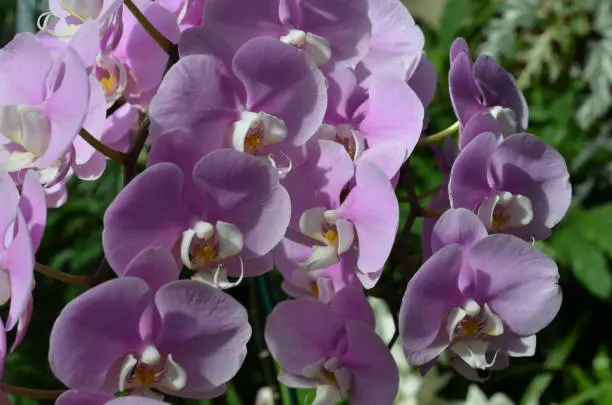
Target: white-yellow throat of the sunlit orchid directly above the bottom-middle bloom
{"type": "Point", "coordinates": [336, 234]}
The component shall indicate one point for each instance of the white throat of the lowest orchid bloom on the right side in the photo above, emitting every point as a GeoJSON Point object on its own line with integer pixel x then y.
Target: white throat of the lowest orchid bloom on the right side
{"type": "Point", "coordinates": [468, 328]}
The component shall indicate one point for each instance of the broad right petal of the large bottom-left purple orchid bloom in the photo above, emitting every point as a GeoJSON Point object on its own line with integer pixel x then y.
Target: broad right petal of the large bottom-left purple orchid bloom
{"type": "Point", "coordinates": [206, 332]}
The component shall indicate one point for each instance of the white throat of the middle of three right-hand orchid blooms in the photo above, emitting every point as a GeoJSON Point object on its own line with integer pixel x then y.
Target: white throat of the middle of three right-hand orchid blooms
{"type": "Point", "coordinates": [505, 210]}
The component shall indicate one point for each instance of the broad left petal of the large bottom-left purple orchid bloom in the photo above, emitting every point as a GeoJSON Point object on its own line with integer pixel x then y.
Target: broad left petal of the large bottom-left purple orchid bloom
{"type": "Point", "coordinates": [97, 329]}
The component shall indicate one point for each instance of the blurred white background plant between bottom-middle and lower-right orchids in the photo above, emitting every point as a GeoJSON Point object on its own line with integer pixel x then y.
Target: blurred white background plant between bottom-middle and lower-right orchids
{"type": "Point", "coordinates": [413, 389]}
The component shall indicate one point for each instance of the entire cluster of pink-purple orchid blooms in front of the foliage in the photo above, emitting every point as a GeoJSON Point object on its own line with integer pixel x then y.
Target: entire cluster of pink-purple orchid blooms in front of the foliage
{"type": "Point", "coordinates": [278, 131]}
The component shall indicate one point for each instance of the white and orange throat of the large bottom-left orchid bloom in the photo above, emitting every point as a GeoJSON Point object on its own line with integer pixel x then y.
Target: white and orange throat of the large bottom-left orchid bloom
{"type": "Point", "coordinates": [151, 370]}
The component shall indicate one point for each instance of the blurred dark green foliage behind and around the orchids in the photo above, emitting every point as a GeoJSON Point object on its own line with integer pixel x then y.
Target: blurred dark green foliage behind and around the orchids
{"type": "Point", "coordinates": [561, 53]}
